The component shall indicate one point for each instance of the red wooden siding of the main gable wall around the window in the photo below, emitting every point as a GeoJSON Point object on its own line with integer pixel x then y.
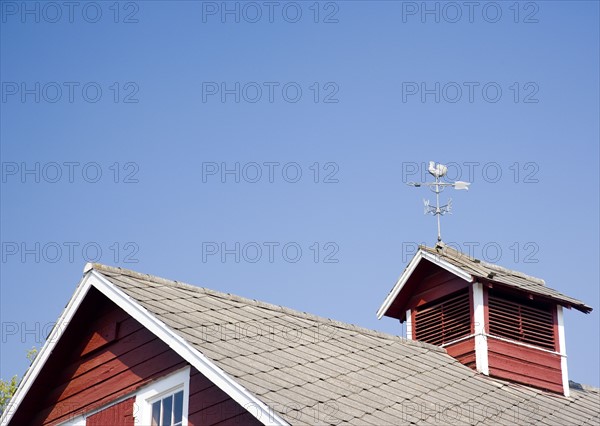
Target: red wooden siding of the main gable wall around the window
{"type": "Point", "coordinates": [104, 355]}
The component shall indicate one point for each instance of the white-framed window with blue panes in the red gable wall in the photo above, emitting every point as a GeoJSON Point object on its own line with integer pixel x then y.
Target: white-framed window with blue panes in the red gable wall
{"type": "Point", "coordinates": [165, 402]}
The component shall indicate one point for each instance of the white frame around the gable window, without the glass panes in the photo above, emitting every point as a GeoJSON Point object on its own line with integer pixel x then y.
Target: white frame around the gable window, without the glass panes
{"type": "Point", "coordinates": [179, 380]}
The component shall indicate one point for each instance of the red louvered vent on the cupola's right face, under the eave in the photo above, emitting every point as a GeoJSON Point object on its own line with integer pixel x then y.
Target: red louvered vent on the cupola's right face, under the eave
{"type": "Point", "coordinates": [520, 322]}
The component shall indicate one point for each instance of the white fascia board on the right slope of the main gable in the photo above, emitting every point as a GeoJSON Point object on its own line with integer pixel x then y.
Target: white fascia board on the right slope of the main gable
{"type": "Point", "coordinates": [220, 378]}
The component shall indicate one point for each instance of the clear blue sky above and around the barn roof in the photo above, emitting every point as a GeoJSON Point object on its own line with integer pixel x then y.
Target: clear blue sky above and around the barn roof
{"type": "Point", "coordinates": [160, 135]}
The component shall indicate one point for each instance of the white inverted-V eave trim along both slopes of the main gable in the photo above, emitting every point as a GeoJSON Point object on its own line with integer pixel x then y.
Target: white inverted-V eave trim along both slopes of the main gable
{"type": "Point", "coordinates": [220, 378]}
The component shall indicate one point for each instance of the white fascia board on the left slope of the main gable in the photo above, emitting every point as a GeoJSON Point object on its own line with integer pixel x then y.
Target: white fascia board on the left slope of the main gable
{"type": "Point", "coordinates": [51, 342]}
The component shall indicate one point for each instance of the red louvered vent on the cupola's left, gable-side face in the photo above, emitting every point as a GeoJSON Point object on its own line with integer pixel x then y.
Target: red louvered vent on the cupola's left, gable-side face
{"type": "Point", "coordinates": [444, 321]}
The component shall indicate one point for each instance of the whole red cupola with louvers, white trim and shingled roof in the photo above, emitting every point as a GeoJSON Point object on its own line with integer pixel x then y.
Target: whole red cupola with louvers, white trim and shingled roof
{"type": "Point", "coordinates": [499, 322]}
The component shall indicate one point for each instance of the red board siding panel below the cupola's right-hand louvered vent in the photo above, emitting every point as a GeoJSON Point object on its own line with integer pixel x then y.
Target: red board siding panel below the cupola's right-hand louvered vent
{"type": "Point", "coordinates": [525, 365]}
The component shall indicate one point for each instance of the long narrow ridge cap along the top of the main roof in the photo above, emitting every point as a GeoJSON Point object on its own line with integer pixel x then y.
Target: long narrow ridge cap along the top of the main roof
{"type": "Point", "coordinates": [283, 309]}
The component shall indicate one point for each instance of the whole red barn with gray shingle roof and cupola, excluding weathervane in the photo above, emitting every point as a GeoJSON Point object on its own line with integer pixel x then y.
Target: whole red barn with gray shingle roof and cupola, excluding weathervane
{"type": "Point", "coordinates": [485, 346]}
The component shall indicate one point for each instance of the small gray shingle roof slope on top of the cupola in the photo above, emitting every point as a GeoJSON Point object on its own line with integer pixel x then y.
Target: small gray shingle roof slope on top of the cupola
{"type": "Point", "coordinates": [503, 276]}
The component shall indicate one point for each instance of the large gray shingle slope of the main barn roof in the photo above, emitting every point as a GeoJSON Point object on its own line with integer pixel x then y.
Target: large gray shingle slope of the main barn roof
{"type": "Point", "coordinates": [312, 370]}
